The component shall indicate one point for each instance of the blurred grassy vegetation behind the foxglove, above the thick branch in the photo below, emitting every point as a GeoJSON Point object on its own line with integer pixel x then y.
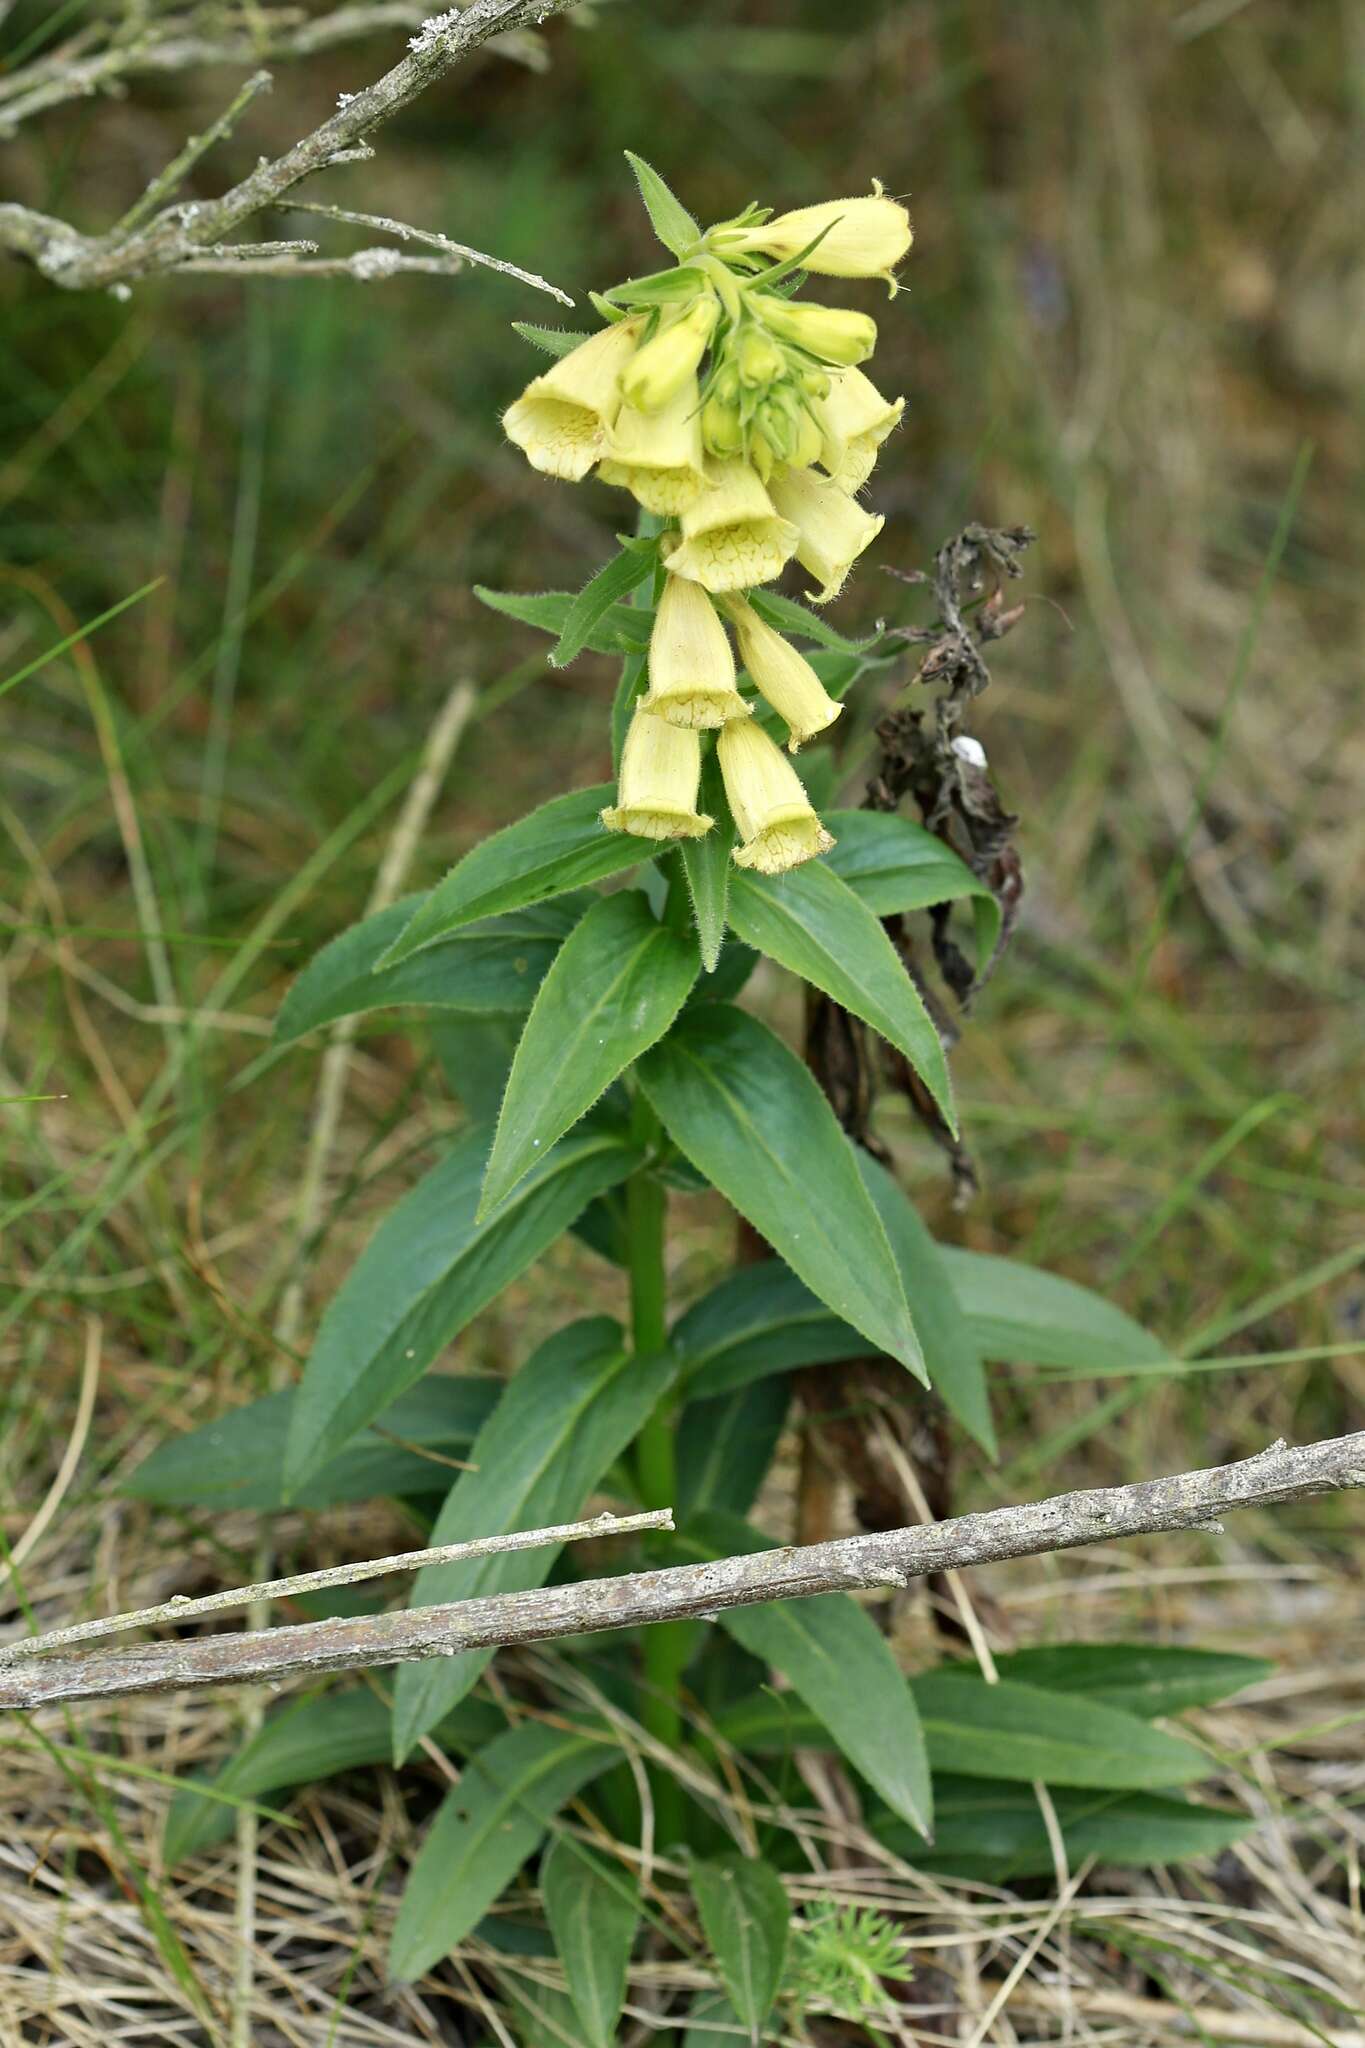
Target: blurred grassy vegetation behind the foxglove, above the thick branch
{"type": "Point", "coordinates": [1135, 318]}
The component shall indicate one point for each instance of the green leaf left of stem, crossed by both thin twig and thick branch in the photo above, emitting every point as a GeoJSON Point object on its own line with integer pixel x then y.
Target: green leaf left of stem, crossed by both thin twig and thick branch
{"type": "Point", "coordinates": [558, 1431]}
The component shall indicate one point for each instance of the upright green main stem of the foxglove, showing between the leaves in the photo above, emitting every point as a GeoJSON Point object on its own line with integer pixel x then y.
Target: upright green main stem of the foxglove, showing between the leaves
{"type": "Point", "coordinates": [668, 1644]}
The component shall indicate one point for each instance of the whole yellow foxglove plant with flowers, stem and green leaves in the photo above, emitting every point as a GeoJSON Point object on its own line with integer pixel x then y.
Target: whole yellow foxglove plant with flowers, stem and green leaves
{"type": "Point", "coordinates": [605, 1060]}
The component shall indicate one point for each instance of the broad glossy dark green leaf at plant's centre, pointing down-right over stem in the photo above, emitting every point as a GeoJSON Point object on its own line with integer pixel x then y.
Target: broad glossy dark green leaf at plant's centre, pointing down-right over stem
{"type": "Point", "coordinates": [750, 1117]}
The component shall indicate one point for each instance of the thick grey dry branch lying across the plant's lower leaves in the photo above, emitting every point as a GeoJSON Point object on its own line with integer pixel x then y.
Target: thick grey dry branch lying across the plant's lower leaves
{"type": "Point", "coordinates": [1188, 1500]}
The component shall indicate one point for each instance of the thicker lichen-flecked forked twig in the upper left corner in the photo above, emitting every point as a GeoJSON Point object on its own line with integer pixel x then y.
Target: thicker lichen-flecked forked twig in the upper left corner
{"type": "Point", "coordinates": [191, 237]}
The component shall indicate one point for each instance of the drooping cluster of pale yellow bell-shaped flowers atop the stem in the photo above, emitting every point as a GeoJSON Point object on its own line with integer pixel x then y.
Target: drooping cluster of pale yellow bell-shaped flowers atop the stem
{"type": "Point", "coordinates": [742, 421]}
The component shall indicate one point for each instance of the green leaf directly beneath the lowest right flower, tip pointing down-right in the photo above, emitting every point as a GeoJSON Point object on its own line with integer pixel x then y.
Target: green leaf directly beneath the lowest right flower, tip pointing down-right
{"type": "Point", "coordinates": [813, 923]}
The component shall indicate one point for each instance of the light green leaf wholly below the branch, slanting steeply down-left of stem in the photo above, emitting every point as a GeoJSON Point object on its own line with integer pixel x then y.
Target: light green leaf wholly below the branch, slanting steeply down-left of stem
{"type": "Point", "coordinates": [488, 1826]}
